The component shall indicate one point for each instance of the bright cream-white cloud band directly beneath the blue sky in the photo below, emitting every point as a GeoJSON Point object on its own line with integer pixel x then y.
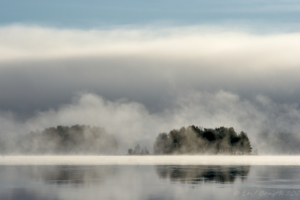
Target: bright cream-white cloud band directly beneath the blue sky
{"type": "Point", "coordinates": [201, 45]}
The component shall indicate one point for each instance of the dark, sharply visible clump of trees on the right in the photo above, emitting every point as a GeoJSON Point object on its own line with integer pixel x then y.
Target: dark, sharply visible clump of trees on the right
{"type": "Point", "coordinates": [196, 140]}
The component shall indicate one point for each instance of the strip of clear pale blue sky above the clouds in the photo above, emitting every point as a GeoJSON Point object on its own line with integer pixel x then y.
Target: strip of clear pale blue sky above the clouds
{"type": "Point", "coordinates": [109, 14]}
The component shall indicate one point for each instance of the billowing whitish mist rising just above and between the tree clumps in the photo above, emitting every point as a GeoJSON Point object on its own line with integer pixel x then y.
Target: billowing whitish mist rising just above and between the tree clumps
{"type": "Point", "coordinates": [131, 122]}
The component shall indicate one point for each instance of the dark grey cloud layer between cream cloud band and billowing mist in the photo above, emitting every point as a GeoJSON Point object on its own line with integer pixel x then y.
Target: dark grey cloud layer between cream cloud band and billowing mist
{"type": "Point", "coordinates": [30, 86]}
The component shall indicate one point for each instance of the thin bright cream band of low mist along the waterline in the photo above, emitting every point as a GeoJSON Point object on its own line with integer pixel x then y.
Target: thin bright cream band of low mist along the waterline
{"type": "Point", "coordinates": [150, 160]}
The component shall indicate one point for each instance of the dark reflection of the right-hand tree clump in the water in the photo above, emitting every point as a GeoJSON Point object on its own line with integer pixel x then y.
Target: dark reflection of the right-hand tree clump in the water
{"type": "Point", "coordinates": [202, 174]}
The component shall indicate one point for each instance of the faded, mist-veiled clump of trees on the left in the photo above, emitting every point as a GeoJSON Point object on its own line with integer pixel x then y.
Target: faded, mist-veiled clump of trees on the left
{"type": "Point", "coordinates": [77, 139]}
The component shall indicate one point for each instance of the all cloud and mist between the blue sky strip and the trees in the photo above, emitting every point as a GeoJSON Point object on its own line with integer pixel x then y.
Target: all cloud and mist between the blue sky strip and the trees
{"type": "Point", "coordinates": [136, 83]}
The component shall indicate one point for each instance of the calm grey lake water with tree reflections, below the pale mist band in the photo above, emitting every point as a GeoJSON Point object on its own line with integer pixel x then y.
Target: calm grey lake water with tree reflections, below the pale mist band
{"type": "Point", "coordinates": [149, 182]}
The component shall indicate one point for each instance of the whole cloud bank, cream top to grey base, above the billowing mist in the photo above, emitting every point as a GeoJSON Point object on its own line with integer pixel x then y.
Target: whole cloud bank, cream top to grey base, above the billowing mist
{"type": "Point", "coordinates": [44, 67]}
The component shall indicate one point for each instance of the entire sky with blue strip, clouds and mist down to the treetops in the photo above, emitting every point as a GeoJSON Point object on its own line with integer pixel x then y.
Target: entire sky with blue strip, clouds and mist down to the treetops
{"type": "Point", "coordinates": [138, 68]}
